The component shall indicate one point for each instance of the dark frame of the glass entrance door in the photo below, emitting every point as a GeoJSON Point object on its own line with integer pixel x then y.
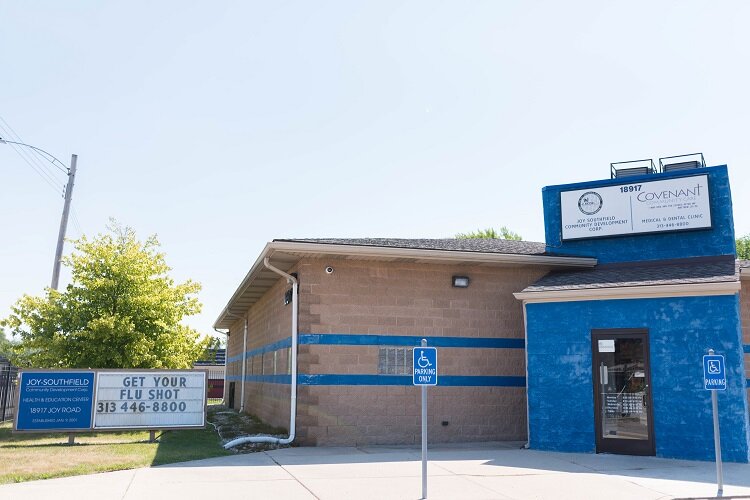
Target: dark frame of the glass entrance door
{"type": "Point", "coordinates": [645, 447]}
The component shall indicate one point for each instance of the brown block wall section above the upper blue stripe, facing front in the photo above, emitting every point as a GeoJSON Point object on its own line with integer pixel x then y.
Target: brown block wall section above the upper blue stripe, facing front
{"type": "Point", "coordinates": [363, 297]}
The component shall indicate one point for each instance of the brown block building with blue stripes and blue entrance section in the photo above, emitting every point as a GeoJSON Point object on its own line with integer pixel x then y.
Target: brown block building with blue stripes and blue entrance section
{"type": "Point", "coordinates": [533, 321]}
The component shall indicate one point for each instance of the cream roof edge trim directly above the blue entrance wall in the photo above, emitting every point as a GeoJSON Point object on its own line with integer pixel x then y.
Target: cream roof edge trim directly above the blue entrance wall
{"type": "Point", "coordinates": [631, 292]}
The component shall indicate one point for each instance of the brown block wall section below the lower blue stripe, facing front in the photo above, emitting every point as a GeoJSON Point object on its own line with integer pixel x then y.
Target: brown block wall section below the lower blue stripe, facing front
{"type": "Point", "coordinates": [359, 415]}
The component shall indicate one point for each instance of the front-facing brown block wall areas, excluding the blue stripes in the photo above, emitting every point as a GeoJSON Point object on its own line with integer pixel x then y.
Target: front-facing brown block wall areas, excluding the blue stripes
{"type": "Point", "coordinates": [385, 298]}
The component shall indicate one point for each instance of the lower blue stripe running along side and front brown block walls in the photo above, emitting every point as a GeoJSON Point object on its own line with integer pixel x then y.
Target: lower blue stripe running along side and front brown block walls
{"type": "Point", "coordinates": [390, 380]}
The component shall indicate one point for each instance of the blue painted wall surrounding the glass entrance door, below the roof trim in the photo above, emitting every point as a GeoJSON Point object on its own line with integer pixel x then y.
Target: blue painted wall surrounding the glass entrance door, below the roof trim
{"type": "Point", "coordinates": [560, 394]}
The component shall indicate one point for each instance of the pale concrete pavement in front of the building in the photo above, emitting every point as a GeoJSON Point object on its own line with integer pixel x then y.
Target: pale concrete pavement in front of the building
{"type": "Point", "coordinates": [485, 471]}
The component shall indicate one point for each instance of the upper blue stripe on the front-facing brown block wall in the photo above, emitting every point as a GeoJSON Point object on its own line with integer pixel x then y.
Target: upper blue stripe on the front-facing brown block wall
{"type": "Point", "coordinates": [410, 340]}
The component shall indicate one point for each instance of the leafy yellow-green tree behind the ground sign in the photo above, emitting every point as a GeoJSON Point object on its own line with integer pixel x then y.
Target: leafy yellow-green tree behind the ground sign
{"type": "Point", "coordinates": [121, 310]}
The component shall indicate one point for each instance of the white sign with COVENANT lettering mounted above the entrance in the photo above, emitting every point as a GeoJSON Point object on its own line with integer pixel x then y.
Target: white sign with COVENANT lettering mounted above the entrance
{"type": "Point", "coordinates": [640, 207]}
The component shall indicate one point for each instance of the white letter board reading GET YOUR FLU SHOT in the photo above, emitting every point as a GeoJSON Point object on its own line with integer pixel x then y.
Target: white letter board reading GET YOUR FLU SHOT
{"type": "Point", "coordinates": [150, 399]}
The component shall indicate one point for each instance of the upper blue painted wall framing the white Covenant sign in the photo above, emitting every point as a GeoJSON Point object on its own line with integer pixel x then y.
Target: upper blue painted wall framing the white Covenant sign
{"type": "Point", "coordinates": [674, 245]}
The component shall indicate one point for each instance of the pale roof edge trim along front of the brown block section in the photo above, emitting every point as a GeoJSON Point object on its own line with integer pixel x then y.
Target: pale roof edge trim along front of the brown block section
{"type": "Point", "coordinates": [429, 254]}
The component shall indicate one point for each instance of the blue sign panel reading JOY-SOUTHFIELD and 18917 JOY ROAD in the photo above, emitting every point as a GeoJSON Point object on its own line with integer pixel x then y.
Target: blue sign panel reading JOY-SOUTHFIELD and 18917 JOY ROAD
{"type": "Point", "coordinates": [55, 401]}
